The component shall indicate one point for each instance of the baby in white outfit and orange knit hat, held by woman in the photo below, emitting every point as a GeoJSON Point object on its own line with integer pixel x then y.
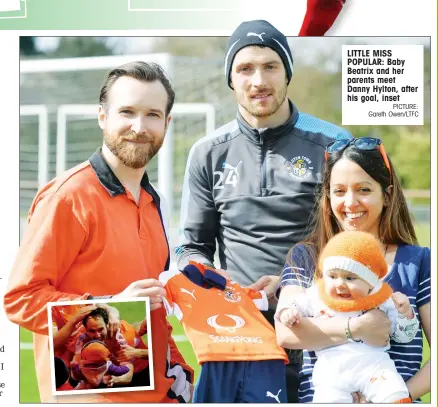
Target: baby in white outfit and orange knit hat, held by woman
{"type": "Point", "coordinates": [351, 266]}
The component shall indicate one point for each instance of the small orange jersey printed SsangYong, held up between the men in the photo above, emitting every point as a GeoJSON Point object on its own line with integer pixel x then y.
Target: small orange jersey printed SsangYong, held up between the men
{"type": "Point", "coordinates": [222, 325]}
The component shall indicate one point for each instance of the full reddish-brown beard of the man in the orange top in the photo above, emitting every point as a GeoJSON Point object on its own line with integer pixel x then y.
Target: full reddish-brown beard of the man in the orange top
{"type": "Point", "coordinates": [130, 154]}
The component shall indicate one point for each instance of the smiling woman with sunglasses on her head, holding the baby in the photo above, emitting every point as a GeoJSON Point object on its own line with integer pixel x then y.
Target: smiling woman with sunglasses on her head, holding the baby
{"type": "Point", "coordinates": [361, 191]}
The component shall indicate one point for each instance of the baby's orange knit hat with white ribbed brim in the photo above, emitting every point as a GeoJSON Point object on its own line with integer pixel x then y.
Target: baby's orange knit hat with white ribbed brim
{"type": "Point", "coordinates": [358, 252]}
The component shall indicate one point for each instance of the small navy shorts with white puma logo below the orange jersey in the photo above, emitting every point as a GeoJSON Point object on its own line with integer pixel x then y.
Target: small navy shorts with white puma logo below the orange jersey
{"type": "Point", "coordinates": [242, 382]}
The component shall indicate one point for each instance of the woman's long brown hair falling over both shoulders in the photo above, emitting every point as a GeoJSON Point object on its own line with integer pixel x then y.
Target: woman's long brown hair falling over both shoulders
{"type": "Point", "coordinates": [396, 226]}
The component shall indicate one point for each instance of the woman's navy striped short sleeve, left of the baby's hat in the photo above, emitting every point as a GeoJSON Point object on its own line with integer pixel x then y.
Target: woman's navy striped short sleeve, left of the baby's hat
{"type": "Point", "coordinates": [298, 269]}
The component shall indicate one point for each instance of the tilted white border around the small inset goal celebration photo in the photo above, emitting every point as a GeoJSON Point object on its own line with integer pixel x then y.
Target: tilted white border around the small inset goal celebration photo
{"type": "Point", "coordinates": [108, 390]}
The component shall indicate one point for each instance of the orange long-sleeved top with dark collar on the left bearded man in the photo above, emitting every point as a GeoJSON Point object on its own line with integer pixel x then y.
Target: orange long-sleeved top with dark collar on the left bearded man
{"type": "Point", "coordinates": [87, 236]}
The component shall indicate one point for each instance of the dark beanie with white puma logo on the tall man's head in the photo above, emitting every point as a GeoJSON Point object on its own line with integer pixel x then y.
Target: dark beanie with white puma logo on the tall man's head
{"type": "Point", "coordinates": [258, 32]}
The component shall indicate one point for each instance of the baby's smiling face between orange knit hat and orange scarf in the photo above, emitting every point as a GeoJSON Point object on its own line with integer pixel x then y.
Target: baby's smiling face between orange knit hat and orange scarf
{"type": "Point", "coordinates": [344, 285]}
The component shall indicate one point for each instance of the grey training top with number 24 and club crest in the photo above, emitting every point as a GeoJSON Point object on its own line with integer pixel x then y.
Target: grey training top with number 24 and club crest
{"type": "Point", "coordinates": [252, 191]}
